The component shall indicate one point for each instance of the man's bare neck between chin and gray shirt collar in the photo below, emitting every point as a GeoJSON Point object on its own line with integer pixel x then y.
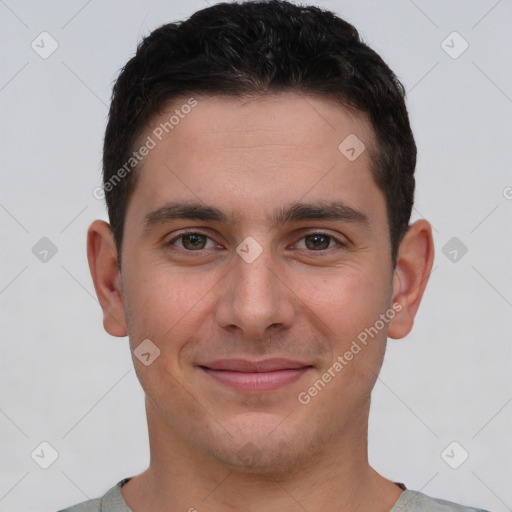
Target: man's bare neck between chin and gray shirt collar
{"type": "Point", "coordinates": [338, 477]}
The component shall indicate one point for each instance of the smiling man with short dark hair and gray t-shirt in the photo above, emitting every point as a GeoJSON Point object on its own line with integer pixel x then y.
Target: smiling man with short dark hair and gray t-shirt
{"type": "Point", "coordinates": [259, 178]}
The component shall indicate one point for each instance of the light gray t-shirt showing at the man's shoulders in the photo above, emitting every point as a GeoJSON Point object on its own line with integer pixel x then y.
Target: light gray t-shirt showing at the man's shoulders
{"type": "Point", "coordinates": [409, 501]}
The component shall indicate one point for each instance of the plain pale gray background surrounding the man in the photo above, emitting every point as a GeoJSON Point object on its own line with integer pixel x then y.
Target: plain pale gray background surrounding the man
{"type": "Point", "coordinates": [63, 380]}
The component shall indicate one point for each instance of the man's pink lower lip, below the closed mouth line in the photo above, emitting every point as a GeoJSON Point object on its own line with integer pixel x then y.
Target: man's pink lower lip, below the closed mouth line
{"type": "Point", "coordinates": [260, 381]}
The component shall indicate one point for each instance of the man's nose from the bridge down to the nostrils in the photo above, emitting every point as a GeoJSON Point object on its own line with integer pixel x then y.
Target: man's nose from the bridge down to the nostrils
{"type": "Point", "coordinates": [254, 298]}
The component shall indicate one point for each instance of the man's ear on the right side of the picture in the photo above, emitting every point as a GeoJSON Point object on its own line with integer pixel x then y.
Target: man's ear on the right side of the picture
{"type": "Point", "coordinates": [414, 264]}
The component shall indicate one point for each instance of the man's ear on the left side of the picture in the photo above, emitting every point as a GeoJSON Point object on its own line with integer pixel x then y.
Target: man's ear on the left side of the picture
{"type": "Point", "coordinates": [102, 256]}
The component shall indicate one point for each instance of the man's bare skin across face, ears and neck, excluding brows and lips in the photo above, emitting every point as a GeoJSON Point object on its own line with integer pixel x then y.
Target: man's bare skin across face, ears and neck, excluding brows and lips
{"type": "Point", "coordinates": [248, 158]}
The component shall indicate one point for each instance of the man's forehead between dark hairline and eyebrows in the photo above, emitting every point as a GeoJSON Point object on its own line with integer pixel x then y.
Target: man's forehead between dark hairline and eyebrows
{"type": "Point", "coordinates": [250, 155]}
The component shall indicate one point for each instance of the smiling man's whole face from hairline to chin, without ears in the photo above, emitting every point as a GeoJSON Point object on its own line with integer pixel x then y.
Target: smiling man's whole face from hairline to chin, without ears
{"type": "Point", "coordinates": [255, 254]}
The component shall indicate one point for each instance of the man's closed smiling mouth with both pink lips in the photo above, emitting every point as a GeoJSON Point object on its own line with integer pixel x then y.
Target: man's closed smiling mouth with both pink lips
{"type": "Point", "coordinates": [255, 376]}
